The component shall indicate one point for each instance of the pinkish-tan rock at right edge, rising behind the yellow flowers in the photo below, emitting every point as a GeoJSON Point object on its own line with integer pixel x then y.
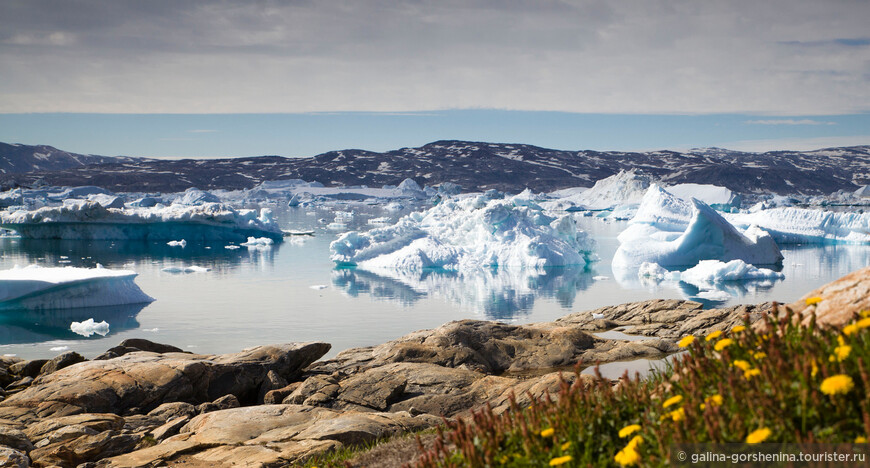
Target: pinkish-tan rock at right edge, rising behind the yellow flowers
{"type": "Point", "coordinates": [840, 300]}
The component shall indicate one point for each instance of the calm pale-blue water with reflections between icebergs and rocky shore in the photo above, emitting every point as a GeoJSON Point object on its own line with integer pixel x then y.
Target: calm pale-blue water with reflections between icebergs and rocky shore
{"type": "Point", "coordinates": [253, 297]}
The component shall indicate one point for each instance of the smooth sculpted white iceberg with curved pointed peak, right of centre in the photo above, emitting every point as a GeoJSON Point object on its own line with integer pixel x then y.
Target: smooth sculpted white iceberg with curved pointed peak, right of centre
{"type": "Point", "coordinates": [707, 236]}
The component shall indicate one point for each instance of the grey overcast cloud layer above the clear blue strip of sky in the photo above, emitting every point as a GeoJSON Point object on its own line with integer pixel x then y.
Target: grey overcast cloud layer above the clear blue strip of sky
{"type": "Point", "coordinates": [773, 57]}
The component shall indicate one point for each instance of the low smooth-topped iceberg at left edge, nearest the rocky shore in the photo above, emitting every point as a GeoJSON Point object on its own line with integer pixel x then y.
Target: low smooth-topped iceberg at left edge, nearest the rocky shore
{"type": "Point", "coordinates": [40, 288]}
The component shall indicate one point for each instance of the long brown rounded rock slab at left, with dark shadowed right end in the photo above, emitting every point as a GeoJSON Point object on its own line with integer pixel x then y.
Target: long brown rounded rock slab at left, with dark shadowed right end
{"type": "Point", "coordinates": [146, 380]}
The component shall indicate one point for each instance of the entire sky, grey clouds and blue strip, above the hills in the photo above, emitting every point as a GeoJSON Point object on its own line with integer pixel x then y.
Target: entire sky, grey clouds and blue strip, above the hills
{"type": "Point", "coordinates": [164, 78]}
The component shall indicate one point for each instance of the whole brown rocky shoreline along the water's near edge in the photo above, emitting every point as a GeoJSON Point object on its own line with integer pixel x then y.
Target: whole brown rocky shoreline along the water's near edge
{"type": "Point", "coordinates": [144, 404]}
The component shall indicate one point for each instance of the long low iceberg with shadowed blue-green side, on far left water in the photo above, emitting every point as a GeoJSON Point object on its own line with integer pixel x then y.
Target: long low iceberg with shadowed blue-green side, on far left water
{"type": "Point", "coordinates": [90, 221]}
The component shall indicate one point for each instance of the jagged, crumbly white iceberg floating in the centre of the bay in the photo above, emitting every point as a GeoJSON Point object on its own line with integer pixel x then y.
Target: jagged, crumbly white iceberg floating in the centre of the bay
{"type": "Point", "coordinates": [465, 235]}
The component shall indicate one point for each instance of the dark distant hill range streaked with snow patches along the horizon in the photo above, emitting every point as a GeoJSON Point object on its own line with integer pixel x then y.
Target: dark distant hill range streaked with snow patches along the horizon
{"type": "Point", "coordinates": [474, 166]}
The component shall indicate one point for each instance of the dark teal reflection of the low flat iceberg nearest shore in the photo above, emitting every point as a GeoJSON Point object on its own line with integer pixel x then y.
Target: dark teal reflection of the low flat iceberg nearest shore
{"type": "Point", "coordinates": [29, 326]}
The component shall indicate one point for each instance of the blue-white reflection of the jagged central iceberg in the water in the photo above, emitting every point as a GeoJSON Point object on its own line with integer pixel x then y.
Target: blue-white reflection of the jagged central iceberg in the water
{"type": "Point", "coordinates": [497, 294]}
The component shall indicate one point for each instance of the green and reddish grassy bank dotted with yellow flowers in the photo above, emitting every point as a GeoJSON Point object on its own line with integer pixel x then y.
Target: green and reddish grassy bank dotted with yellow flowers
{"type": "Point", "coordinates": [793, 384]}
